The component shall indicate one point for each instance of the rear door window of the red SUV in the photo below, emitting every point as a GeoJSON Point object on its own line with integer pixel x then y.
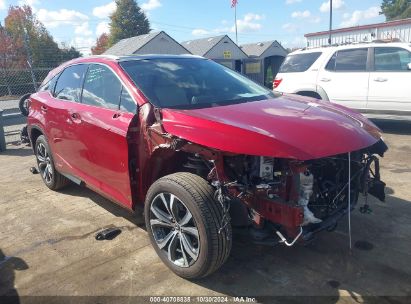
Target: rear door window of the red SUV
{"type": "Point", "coordinates": [68, 86]}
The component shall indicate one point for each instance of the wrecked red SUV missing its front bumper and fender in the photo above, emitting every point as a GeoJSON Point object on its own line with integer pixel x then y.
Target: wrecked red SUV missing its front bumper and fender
{"type": "Point", "coordinates": [204, 149]}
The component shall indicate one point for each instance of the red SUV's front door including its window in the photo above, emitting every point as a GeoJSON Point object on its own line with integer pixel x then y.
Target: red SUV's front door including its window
{"type": "Point", "coordinates": [104, 118]}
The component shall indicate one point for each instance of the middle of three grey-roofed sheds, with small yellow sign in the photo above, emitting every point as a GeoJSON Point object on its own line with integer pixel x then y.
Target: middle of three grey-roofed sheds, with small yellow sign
{"type": "Point", "coordinates": [220, 49]}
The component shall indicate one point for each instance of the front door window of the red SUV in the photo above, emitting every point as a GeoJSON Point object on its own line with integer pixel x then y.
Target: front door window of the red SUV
{"type": "Point", "coordinates": [101, 88]}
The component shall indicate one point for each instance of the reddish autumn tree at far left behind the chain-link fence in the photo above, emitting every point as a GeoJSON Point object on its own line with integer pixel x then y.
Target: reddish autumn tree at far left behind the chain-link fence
{"type": "Point", "coordinates": [22, 25]}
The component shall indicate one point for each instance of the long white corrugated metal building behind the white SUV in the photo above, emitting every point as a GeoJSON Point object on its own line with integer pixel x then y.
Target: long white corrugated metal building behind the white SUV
{"type": "Point", "coordinates": [392, 30]}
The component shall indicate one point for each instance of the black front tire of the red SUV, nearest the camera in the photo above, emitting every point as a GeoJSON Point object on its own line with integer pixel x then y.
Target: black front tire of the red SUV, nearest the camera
{"type": "Point", "coordinates": [197, 195]}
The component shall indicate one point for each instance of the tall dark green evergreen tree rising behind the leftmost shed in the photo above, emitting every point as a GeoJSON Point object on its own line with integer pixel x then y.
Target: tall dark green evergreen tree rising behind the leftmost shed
{"type": "Point", "coordinates": [127, 21]}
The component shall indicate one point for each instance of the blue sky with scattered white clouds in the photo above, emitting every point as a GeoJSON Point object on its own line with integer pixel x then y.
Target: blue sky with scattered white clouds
{"type": "Point", "coordinates": [79, 23]}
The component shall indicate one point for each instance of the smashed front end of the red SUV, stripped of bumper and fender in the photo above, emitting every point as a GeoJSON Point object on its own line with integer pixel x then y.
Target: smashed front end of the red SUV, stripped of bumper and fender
{"type": "Point", "coordinates": [279, 199]}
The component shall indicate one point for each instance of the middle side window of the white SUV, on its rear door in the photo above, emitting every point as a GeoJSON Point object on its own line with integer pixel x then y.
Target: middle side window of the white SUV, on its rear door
{"type": "Point", "coordinates": [351, 60]}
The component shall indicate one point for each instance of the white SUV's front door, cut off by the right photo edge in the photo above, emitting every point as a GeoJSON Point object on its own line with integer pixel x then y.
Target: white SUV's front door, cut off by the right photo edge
{"type": "Point", "coordinates": [390, 89]}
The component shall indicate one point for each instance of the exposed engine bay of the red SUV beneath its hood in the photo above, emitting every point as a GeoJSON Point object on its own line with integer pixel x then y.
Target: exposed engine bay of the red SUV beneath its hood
{"type": "Point", "coordinates": [294, 198]}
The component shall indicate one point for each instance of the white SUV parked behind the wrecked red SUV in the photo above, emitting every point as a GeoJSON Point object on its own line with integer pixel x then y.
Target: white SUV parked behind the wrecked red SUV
{"type": "Point", "coordinates": [371, 78]}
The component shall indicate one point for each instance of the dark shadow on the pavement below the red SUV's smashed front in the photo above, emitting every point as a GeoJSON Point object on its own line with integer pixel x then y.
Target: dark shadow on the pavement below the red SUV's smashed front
{"type": "Point", "coordinates": [320, 270]}
